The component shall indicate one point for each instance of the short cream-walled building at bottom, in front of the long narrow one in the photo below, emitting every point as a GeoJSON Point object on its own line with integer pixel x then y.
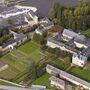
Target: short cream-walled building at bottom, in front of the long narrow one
{"type": "Point", "coordinates": [60, 84]}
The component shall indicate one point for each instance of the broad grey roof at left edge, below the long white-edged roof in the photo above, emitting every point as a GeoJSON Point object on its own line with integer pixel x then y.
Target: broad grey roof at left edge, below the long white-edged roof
{"type": "Point", "coordinates": [16, 21]}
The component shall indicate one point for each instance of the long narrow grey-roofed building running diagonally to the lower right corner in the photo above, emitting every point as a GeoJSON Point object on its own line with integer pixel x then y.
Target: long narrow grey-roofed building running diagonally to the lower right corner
{"type": "Point", "coordinates": [50, 69]}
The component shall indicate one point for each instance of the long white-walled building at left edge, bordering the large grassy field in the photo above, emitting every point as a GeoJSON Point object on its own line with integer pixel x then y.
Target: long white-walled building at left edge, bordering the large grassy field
{"type": "Point", "coordinates": [13, 42]}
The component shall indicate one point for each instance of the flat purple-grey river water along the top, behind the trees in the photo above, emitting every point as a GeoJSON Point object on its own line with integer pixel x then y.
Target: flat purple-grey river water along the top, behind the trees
{"type": "Point", "coordinates": [43, 6]}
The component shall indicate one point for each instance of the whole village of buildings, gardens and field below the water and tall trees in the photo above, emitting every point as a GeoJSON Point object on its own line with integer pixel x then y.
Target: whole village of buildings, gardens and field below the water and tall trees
{"type": "Point", "coordinates": [38, 54]}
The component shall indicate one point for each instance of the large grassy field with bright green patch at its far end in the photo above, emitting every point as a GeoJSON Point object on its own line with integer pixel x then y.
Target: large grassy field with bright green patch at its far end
{"type": "Point", "coordinates": [19, 59]}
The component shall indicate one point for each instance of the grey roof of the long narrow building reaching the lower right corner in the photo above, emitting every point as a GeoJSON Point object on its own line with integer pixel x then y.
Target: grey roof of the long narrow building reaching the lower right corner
{"type": "Point", "coordinates": [69, 76]}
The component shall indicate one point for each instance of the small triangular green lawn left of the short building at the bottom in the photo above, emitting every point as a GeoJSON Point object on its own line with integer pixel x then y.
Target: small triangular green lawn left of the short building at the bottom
{"type": "Point", "coordinates": [43, 80]}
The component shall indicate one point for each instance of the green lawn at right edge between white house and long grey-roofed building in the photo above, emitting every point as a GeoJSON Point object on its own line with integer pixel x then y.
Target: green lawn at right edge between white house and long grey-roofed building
{"type": "Point", "coordinates": [81, 73]}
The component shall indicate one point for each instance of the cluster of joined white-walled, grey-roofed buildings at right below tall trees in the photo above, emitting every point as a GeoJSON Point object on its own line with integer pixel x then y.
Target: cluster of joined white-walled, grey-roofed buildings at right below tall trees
{"type": "Point", "coordinates": [67, 41]}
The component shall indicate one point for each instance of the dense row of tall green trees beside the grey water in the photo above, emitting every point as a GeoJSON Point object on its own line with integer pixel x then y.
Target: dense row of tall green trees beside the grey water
{"type": "Point", "coordinates": [74, 18]}
